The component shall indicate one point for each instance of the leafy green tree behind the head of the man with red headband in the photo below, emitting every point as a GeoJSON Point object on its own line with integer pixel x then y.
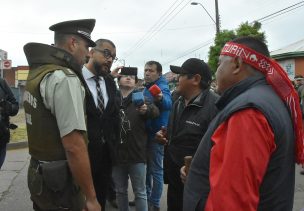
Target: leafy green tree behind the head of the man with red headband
{"type": "Point", "coordinates": [245, 29]}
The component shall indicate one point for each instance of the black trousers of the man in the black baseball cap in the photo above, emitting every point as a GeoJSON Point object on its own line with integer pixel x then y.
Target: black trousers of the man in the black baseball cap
{"type": "Point", "coordinates": [175, 187]}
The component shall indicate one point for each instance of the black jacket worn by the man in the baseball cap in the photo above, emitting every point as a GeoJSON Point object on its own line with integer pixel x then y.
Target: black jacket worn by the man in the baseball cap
{"type": "Point", "coordinates": [188, 124]}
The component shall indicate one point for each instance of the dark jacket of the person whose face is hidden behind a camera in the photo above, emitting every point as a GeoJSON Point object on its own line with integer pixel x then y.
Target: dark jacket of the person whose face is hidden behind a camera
{"type": "Point", "coordinates": [133, 143]}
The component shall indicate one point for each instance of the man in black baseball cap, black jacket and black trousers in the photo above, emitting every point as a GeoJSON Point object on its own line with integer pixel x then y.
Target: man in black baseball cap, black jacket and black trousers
{"type": "Point", "coordinates": [189, 120]}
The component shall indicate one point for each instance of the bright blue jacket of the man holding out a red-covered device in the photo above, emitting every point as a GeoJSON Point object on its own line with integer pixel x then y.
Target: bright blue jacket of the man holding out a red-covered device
{"type": "Point", "coordinates": [165, 105]}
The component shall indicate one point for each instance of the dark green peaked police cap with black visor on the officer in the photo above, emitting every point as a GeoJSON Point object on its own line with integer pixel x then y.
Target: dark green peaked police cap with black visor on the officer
{"type": "Point", "coordinates": [82, 28]}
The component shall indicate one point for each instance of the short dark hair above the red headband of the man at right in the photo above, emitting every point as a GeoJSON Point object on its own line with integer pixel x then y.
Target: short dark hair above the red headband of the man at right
{"type": "Point", "coordinates": [253, 43]}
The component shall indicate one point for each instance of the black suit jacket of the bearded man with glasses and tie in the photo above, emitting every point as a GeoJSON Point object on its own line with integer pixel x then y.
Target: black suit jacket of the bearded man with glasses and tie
{"type": "Point", "coordinates": [103, 129]}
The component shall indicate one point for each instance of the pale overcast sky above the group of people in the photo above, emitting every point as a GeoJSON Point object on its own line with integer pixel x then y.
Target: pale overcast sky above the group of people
{"type": "Point", "coordinates": [168, 31]}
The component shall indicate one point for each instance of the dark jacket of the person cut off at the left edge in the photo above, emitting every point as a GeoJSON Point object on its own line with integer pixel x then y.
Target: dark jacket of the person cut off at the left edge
{"type": "Point", "coordinates": [8, 107]}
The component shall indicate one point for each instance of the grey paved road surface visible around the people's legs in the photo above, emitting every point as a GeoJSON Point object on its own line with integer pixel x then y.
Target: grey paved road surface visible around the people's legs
{"type": "Point", "coordinates": [14, 195]}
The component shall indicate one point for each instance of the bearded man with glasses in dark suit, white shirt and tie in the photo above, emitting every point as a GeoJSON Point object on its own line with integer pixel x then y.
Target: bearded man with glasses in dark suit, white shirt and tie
{"type": "Point", "coordinates": [102, 108]}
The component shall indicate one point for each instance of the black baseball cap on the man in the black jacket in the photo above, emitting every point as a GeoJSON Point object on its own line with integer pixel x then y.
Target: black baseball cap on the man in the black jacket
{"type": "Point", "coordinates": [194, 66]}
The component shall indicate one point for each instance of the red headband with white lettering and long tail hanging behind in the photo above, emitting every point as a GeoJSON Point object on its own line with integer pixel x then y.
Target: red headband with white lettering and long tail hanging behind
{"type": "Point", "coordinates": [279, 81]}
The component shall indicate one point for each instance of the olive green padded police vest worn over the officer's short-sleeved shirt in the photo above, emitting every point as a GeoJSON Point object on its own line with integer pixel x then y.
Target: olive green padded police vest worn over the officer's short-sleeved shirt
{"type": "Point", "coordinates": [44, 138]}
